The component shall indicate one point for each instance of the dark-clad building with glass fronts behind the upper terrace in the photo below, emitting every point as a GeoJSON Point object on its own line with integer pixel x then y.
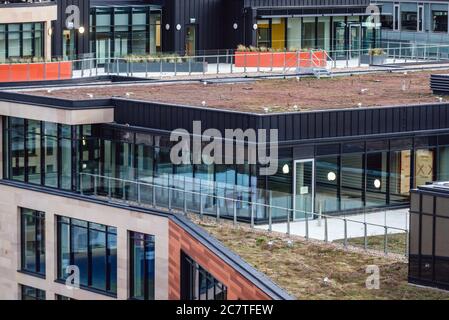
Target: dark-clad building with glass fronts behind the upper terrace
{"type": "Point", "coordinates": [110, 29]}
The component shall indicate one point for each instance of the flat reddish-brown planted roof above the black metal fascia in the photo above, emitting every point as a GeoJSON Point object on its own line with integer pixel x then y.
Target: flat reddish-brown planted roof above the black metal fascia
{"type": "Point", "coordinates": [271, 95]}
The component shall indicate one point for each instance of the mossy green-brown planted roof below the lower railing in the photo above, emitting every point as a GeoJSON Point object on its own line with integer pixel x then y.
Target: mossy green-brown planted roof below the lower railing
{"type": "Point", "coordinates": [315, 270]}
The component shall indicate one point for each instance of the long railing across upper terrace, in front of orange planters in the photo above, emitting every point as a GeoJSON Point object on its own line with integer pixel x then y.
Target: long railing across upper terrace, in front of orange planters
{"type": "Point", "coordinates": [228, 63]}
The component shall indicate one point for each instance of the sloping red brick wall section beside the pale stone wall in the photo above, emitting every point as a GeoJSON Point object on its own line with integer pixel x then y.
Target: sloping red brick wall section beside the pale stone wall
{"type": "Point", "coordinates": [238, 286]}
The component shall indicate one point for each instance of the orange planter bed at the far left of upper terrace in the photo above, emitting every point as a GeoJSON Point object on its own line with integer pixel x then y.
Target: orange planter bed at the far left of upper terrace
{"type": "Point", "coordinates": [34, 70]}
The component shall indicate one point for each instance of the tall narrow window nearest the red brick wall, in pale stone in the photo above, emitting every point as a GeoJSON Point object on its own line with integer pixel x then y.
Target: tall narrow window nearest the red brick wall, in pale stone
{"type": "Point", "coordinates": [141, 266]}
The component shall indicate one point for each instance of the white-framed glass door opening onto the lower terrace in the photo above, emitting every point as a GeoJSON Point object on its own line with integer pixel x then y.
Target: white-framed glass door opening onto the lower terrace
{"type": "Point", "coordinates": [303, 188]}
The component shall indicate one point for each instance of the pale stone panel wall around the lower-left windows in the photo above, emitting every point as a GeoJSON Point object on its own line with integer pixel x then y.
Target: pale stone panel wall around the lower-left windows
{"type": "Point", "coordinates": [12, 199]}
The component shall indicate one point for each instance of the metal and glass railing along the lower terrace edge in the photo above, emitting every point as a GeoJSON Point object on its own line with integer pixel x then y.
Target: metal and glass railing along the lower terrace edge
{"type": "Point", "coordinates": [312, 225]}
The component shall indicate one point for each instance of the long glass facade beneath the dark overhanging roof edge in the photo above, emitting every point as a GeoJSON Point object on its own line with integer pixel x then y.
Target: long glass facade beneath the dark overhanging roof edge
{"type": "Point", "coordinates": [135, 166]}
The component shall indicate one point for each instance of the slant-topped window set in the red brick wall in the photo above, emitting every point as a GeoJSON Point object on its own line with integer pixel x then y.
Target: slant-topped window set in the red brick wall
{"type": "Point", "coordinates": [197, 283]}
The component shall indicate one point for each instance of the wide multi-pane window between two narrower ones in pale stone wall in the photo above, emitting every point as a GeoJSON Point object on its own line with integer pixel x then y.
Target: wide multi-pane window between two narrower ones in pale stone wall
{"type": "Point", "coordinates": [92, 248]}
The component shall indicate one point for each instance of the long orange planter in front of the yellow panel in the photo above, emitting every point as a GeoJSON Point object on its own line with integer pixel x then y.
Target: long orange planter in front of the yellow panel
{"type": "Point", "coordinates": [266, 58]}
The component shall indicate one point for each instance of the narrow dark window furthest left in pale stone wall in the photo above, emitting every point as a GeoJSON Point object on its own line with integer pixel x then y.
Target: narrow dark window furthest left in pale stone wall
{"type": "Point", "coordinates": [33, 241]}
